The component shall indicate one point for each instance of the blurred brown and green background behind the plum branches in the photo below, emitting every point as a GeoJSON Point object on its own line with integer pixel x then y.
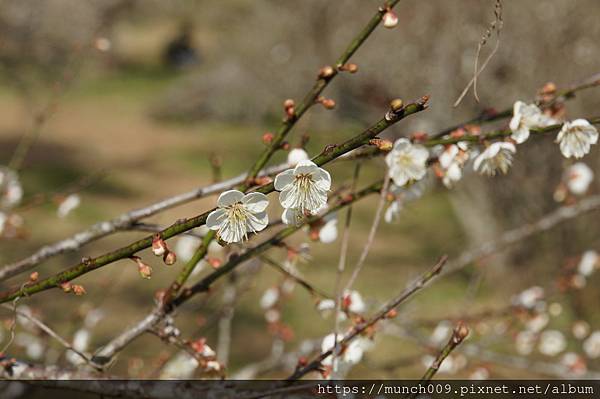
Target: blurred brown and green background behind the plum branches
{"type": "Point", "coordinates": [127, 102]}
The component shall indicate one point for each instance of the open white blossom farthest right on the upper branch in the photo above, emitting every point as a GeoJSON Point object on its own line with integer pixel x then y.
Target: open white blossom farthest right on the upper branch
{"type": "Point", "coordinates": [575, 138]}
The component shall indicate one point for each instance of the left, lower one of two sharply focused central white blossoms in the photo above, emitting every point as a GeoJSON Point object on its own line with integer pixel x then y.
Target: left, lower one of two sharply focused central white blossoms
{"type": "Point", "coordinates": [238, 214]}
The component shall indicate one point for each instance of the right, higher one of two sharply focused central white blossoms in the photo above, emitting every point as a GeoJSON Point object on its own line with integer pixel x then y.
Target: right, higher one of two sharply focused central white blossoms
{"type": "Point", "coordinates": [302, 190]}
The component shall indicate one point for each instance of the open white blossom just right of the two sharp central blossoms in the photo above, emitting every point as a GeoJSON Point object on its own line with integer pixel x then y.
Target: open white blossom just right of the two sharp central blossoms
{"type": "Point", "coordinates": [407, 162]}
